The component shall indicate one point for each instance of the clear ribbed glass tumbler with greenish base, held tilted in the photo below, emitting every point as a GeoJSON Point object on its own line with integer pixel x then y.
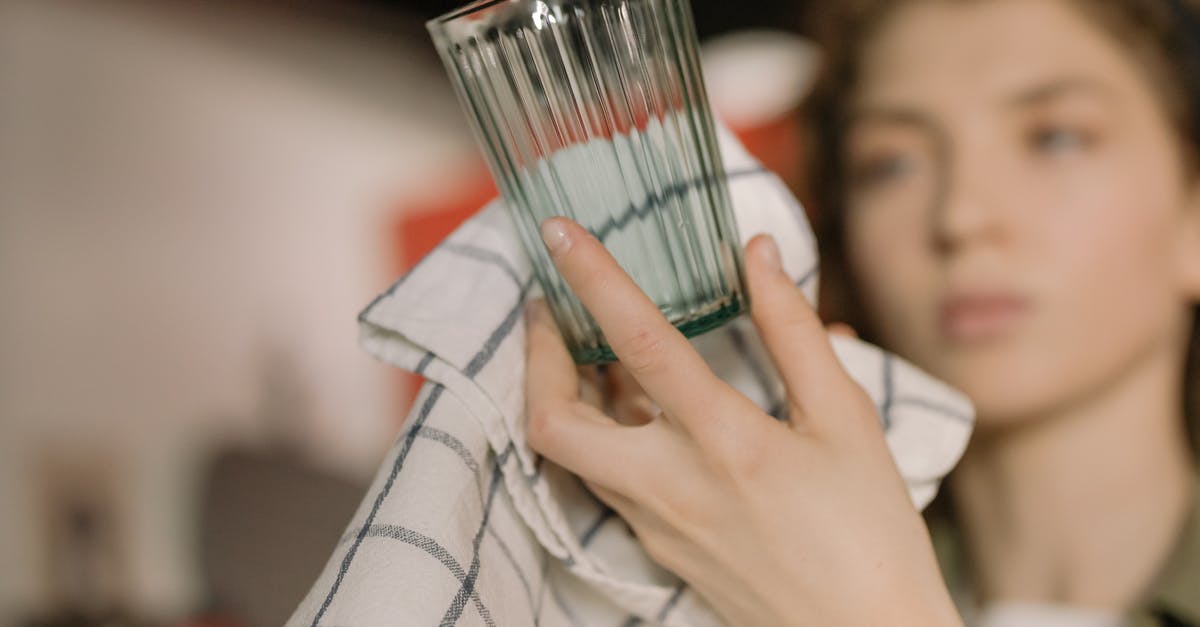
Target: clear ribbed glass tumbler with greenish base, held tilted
{"type": "Point", "coordinates": [596, 110]}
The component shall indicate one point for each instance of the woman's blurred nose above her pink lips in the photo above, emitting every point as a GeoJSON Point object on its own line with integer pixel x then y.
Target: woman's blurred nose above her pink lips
{"type": "Point", "coordinates": [967, 210]}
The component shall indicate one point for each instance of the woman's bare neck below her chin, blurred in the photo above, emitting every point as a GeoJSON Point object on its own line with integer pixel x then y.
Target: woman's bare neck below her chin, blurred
{"type": "Point", "coordinates": [1082, 506]}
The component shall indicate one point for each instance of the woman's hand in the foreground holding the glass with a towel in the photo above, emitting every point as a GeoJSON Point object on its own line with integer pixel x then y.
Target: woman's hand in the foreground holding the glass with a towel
{"type": "Point", "coordinates": [775, 524]}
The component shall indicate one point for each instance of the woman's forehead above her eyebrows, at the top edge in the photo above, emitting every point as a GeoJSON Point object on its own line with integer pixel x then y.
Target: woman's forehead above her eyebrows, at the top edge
{"type": "Point", "coordinates": [941, 53]}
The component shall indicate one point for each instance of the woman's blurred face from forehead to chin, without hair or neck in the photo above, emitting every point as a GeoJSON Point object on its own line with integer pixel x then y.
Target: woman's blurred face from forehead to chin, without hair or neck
{"type": "Point", "coordinates": [1019, 219]}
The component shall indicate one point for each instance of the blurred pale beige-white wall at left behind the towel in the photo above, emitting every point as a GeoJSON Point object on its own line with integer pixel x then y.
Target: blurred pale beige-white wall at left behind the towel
{"type": "Point", "coordinates": [177, 206]}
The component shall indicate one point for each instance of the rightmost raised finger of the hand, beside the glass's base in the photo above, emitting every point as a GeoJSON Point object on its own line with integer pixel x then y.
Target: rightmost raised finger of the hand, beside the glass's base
{"type": "Point", "coordinates": [790, 329]}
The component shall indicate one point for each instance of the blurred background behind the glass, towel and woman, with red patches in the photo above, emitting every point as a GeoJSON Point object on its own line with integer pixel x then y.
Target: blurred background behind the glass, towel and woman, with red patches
{"type": "Point", "coordinates": [196, 200]}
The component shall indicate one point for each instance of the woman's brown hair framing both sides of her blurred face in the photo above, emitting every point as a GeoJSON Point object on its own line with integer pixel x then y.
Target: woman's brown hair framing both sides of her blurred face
{"type": "Point", "coordinates": [1163, 37]}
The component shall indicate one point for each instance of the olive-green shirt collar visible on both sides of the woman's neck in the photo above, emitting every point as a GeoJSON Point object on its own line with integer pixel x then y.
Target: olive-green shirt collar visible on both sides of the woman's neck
{"type": "Point", "coordinates": [1173, 601]}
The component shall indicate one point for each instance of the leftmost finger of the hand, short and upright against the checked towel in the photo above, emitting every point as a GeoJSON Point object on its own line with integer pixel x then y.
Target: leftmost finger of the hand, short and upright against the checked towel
{"type": "Point", "coordinates": [550, 372]}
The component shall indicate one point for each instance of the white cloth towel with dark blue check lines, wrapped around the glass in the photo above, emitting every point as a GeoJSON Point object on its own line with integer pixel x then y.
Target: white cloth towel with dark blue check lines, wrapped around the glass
{"type": "Point", "coordinates": [465, 526]}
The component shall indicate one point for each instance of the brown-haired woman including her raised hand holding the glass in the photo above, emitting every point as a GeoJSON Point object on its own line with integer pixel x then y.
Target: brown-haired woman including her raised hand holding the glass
{"type": "Point", "coordinates": [1012, 193]}
